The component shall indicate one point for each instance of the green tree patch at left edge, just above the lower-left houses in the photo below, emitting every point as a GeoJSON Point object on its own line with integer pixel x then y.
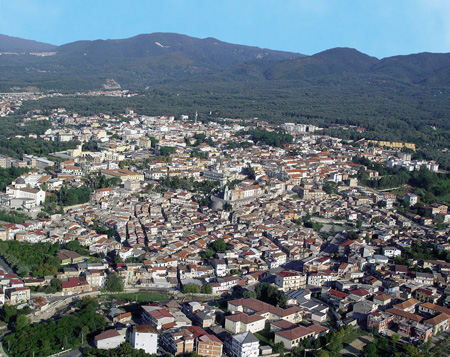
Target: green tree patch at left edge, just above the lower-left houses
{"type": "Point", "coordinates": [38, 259]}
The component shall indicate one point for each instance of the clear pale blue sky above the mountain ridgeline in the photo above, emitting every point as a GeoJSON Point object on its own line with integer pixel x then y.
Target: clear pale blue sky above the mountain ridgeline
{"type": "Point", "coordinates": [379, 28]}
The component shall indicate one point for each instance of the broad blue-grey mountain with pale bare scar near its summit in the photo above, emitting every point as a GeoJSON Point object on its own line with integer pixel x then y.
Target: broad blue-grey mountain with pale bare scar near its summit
{"type": "Point", "coordinates": [135, 62]}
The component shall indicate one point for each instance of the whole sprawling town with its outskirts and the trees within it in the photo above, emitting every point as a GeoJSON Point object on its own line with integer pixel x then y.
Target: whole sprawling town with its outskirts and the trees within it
{"type": "Point", "coordinates": [248, 239]}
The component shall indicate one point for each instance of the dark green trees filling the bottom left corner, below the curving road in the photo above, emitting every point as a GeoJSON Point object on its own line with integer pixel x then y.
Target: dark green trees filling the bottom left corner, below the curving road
{"type": "Point", "coordinates": [50, 337]}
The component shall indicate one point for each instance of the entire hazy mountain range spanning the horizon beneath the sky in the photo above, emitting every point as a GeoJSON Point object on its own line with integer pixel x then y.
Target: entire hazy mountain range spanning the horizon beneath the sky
{"type": "Point", "coordinates": [162, 58]}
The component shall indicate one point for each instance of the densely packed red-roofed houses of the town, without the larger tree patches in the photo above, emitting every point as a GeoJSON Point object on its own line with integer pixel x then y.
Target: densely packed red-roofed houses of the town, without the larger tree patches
{"type": "Point", "coordinates": [163, 238]}
